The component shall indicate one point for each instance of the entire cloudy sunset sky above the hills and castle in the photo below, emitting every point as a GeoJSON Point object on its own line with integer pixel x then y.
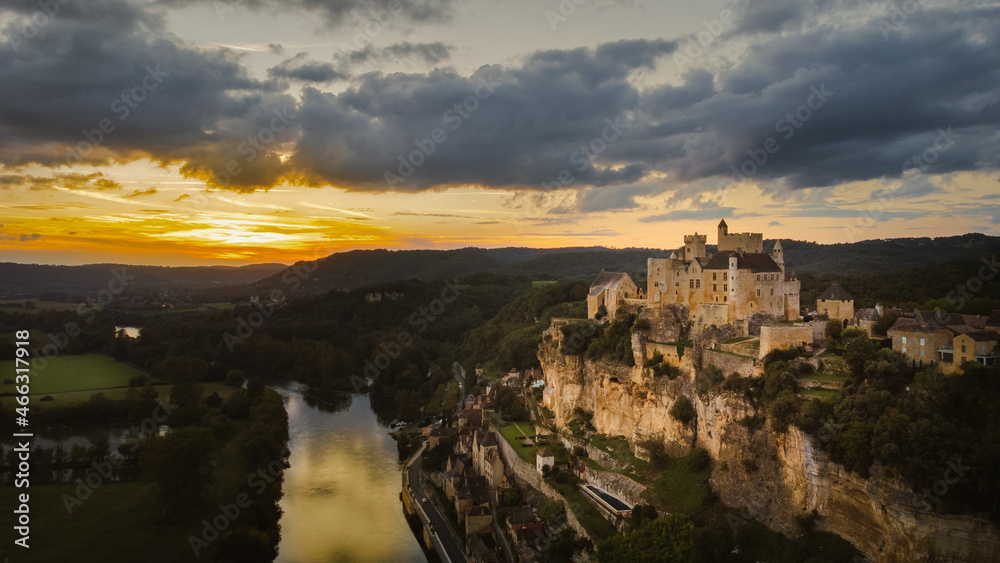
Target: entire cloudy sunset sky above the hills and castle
{"type": "Point", "coordinates": [195, 132]}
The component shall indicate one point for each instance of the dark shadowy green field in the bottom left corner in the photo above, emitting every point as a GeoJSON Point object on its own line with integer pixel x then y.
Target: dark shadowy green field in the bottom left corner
{"type": "Point", "coordinates": [119, 521]}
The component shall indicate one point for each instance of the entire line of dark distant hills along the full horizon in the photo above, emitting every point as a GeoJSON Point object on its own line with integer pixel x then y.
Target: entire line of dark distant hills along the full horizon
{"type": "Point", "coordinates": [361, 268]}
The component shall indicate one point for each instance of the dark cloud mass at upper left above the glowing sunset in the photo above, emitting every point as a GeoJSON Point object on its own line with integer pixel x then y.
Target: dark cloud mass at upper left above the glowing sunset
{"type": "Point", "coordinates": [114, 67]}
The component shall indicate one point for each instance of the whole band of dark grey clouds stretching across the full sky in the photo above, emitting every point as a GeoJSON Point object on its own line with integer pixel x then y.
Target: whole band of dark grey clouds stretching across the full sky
{"type": "Point", "coordinates": [825, 96]}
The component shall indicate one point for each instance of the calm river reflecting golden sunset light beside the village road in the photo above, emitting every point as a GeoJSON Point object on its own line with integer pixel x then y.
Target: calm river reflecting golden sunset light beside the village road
{"type": "Point", "coordinates": [341, 493]}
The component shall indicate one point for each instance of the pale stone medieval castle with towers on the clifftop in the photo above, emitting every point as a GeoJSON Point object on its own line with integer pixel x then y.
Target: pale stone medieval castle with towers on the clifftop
{"type": "Point", "coordinates": [736, 282]}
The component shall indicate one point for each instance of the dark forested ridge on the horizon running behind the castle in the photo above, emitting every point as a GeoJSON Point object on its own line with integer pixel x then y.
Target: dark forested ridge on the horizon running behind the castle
{"type": "Point", "coordinates": [362, 268]}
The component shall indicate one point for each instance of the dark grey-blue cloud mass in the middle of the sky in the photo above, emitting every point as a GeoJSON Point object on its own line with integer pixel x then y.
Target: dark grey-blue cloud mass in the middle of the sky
{"type": "Point", "coordinates": [503, 126]}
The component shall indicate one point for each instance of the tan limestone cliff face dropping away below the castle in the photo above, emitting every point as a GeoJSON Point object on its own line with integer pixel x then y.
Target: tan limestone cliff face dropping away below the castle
{"type": "Point", "coordinates": [776, 478]}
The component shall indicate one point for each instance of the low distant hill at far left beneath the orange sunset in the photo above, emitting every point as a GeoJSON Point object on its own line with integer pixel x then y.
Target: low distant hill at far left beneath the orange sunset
{"type": "Point", "coordinates": [20, 279]}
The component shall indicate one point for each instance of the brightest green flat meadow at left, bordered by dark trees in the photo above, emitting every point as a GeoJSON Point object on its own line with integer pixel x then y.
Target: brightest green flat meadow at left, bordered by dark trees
{"type": "Point", "coordinates": [73, 373]}
